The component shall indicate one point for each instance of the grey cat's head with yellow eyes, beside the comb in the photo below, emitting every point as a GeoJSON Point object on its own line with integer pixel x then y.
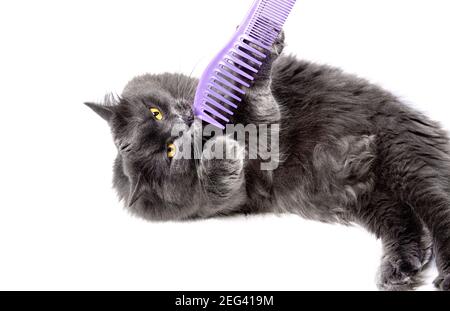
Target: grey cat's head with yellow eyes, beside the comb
{"type": "Point", "coordinates": [153, 183]}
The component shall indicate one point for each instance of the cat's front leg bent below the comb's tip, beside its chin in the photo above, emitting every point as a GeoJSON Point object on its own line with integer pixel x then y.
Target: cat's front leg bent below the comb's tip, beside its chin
{"type": "Point", "coordinates": [221, 174]}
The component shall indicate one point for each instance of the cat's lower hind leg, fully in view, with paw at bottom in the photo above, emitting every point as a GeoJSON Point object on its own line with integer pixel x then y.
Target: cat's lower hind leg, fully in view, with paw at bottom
{"type": "Point", "coordinates": [407, 246]}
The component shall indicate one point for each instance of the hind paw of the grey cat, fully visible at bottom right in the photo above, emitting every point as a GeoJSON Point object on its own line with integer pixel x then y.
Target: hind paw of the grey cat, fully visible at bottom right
{"type": "Point", "coordinates": [399, 274]}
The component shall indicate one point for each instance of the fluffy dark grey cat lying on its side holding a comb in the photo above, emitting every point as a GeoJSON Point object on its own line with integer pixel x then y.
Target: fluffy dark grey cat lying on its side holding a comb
{"type": "Point", "coordinates": [351, 152]}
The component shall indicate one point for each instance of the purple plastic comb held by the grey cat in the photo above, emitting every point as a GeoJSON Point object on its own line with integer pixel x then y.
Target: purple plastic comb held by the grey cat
{"type": "Point", "coordinates": [226, 78]}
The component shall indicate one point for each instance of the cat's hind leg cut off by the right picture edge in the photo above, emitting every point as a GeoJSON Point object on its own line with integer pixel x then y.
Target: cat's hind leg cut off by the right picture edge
{"type": "Point", "coordinates": [415, 165]}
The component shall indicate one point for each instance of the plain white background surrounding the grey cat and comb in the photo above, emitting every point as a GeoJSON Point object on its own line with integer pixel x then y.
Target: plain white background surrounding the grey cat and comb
{"type": "Point", "coordinates": [61, 226]}
